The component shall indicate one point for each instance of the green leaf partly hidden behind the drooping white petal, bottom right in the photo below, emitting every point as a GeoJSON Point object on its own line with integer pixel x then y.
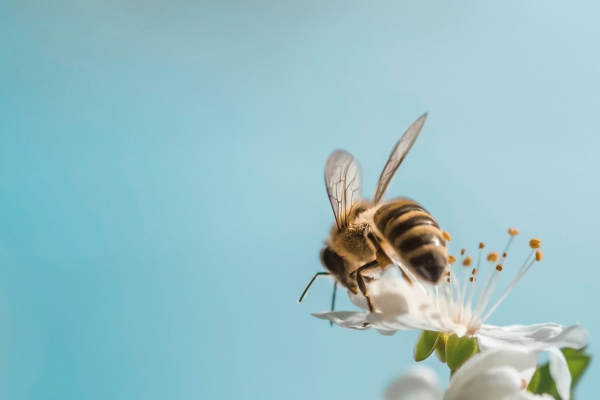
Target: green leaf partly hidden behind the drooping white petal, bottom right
{"type": "Point", "coordinates": [542, 382]}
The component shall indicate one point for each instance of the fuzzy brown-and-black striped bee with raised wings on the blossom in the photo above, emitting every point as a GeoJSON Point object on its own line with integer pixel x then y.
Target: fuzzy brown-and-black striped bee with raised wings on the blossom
{"type": "Point", "coordinates": [370, 235]}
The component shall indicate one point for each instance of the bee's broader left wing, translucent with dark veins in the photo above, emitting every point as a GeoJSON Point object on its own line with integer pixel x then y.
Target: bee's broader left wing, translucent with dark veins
{"type": "Point", "coordinates": [342, 180]}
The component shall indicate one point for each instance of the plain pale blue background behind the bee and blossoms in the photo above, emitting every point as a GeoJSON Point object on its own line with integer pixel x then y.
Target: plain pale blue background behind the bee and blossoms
{"type": "Point", "coordinates": [161, 194]}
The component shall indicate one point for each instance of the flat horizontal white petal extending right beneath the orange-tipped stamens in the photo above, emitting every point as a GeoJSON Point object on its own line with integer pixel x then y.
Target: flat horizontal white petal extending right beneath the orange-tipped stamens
{"type": "Point", "coordinates": [537, 337]}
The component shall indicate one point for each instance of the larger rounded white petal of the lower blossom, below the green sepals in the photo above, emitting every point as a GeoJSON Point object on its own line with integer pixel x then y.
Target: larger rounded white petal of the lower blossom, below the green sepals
{"type": "Point", "coordinates": [502, 369]}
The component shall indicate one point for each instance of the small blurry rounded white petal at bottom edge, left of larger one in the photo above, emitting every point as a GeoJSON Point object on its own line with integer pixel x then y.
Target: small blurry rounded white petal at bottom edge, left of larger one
{"type": "Point", "coordinates": [420, 383]}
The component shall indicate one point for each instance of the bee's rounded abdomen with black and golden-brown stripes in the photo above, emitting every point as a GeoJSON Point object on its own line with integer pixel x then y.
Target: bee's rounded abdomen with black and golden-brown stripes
{"type": "Point", "coordinates": [415, 236]}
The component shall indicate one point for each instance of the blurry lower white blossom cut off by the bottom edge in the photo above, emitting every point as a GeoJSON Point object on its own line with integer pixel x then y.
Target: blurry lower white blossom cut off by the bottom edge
{"type": "Point", "coordinates": [500, 374]}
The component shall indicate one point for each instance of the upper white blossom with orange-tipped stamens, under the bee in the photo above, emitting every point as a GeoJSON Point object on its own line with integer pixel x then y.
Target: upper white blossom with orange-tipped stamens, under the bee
{"type": "Point", "coordinates": [402, 303]}
